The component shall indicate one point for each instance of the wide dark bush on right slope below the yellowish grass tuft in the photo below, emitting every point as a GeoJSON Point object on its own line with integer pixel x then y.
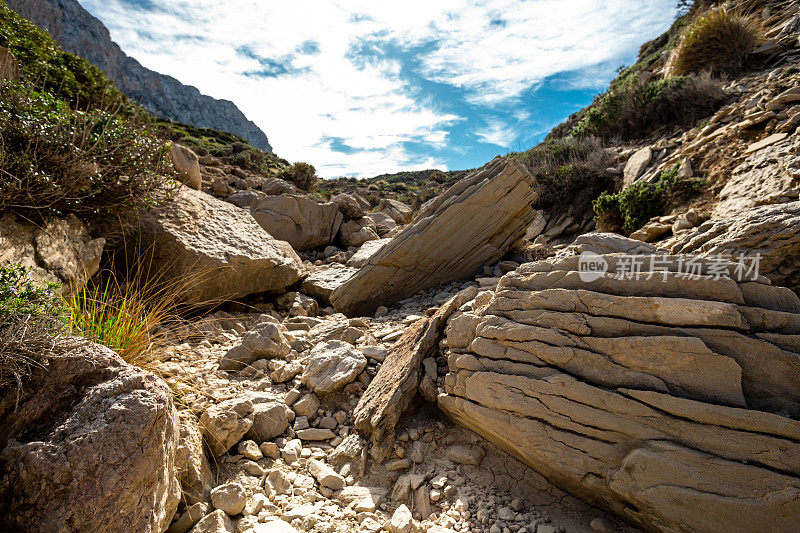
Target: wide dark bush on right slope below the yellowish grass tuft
{"type": "Point", "coordinates": [634, 109]}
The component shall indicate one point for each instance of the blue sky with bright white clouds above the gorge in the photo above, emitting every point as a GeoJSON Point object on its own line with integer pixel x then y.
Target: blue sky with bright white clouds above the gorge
{"type": "Point", "coordinates": [364, 87]}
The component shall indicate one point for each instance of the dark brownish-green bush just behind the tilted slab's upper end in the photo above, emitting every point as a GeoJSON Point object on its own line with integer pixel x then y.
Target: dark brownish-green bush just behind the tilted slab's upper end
{"type": "Point", "coordinates": [569, 171]}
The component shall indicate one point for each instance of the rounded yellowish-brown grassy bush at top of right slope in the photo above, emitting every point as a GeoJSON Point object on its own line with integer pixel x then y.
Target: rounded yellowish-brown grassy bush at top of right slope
{"type": "Point", "coordinates": [718, 42]}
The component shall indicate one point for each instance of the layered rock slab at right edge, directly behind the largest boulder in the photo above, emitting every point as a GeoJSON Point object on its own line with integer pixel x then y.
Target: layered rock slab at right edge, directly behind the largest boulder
{"type": "Point", "coordinates": [770, 231]}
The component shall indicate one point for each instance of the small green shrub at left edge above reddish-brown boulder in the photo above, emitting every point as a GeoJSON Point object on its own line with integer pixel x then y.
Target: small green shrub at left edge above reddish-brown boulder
{"type": "Point", "coordinates": [30, 324]}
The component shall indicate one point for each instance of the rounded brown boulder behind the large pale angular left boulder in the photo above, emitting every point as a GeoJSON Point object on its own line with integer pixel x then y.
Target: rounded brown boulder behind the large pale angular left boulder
{"type": "Point", "coordinates": [298, 220]}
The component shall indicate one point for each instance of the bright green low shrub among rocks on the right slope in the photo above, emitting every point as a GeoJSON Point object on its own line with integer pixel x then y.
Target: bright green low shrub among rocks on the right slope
{"type": "Point", "coordinates": [632, 207]}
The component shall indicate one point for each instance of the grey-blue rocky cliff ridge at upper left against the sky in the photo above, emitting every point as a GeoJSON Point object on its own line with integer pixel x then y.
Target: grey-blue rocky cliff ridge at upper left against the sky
{"type": "Point", "coordinates": [80, 33]}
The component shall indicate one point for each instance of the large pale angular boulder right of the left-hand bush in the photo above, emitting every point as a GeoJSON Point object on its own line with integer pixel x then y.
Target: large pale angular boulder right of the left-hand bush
{"type": "Point", "coordinates": [216, 245]}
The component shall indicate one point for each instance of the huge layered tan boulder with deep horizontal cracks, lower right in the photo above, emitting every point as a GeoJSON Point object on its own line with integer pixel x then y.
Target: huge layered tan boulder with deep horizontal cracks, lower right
{"type": "Point", "coordinates": [681, 417]}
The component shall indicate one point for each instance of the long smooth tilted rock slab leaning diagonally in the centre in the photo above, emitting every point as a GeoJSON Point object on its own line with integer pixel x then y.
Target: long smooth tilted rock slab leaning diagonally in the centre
{"type": "Point", "coordinates": [473, 223]}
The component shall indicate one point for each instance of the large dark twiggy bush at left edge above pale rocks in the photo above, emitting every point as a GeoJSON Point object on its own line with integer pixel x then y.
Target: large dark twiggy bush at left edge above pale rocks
{"type": "Point", "coordinates": [55, 160]}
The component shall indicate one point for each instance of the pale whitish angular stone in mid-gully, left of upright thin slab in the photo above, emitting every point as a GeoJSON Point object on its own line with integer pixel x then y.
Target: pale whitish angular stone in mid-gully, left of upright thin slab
{"type": "Point", "coordinates": [332, 365]}
